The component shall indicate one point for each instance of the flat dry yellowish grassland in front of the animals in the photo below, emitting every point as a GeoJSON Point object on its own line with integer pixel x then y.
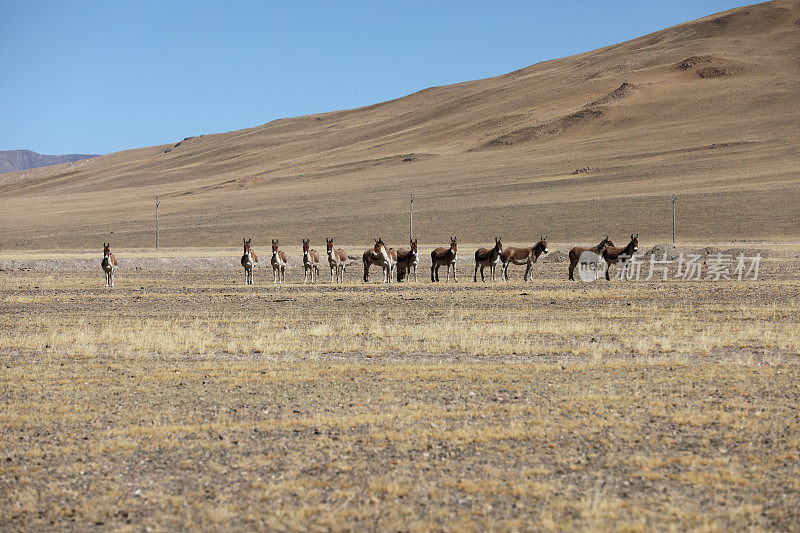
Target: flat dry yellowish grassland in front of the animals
{"type": "Point", "coordinates": [175, 402]}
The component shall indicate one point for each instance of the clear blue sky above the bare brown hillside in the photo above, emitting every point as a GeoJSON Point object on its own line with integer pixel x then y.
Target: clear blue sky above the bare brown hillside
{"type": "Point", "coordinates": [99, 77]}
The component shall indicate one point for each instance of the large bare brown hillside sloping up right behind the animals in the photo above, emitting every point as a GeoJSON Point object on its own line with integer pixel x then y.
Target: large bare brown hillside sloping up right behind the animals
{"type": "Point", "coordinates": [578, 148]}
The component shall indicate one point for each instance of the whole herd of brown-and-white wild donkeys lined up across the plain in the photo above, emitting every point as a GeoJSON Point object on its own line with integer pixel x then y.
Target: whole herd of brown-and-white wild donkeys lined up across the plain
{"type": "Point", "coordinates": [404, 262]}
